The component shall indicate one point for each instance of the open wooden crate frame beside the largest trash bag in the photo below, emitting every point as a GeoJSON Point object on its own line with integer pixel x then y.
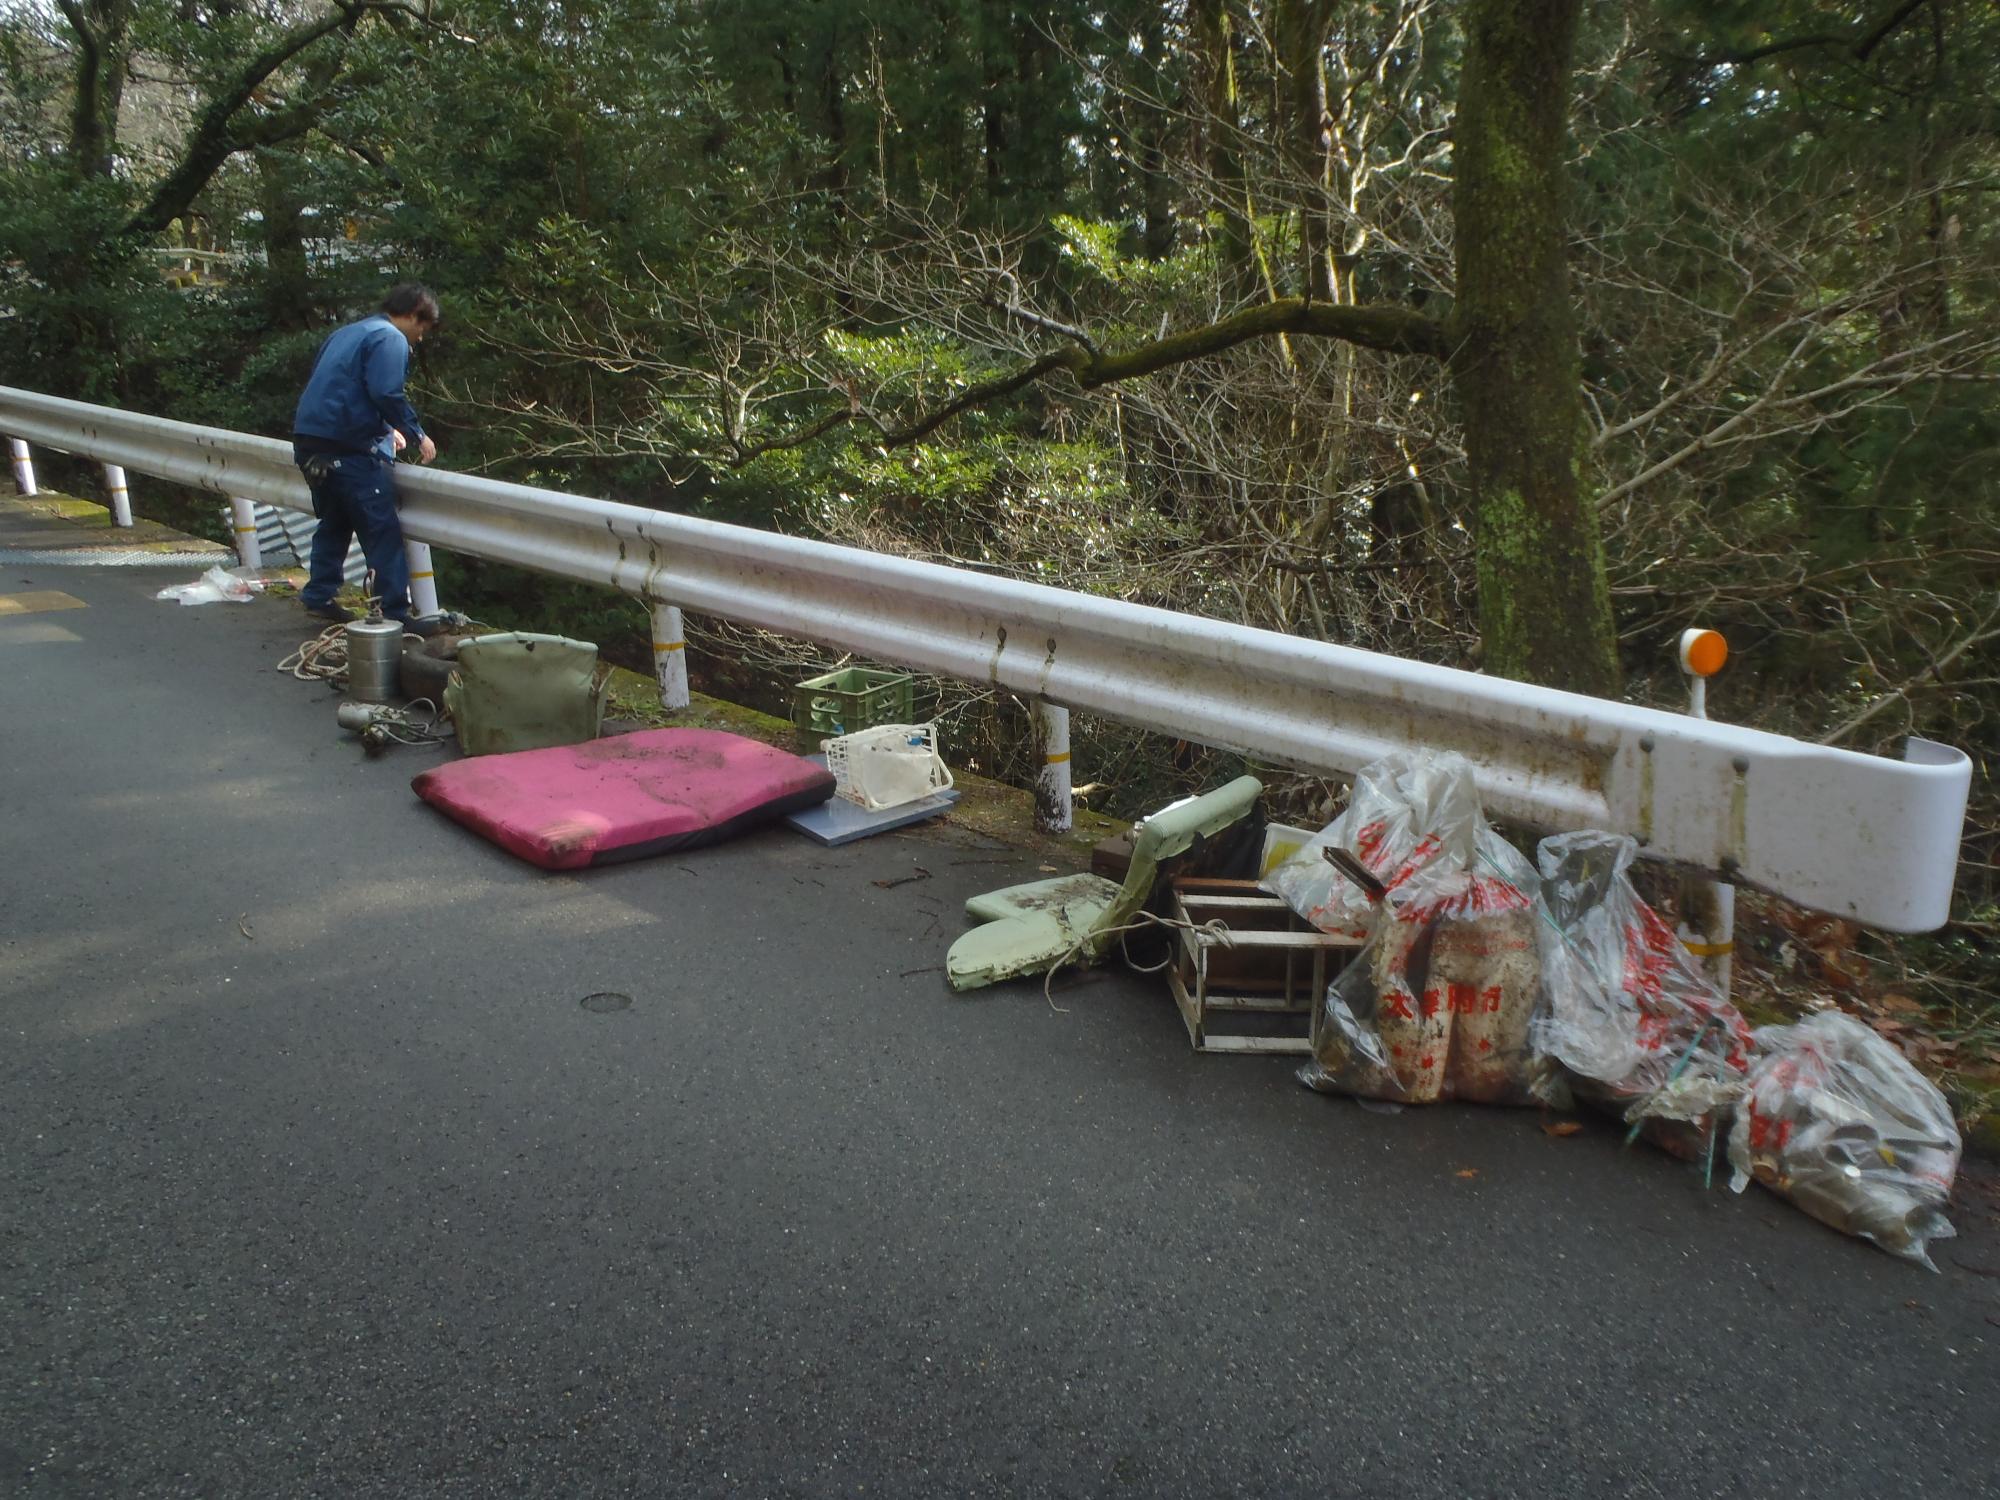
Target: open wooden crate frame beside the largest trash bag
{"type": "Point", "coordinates": [1265, 963]}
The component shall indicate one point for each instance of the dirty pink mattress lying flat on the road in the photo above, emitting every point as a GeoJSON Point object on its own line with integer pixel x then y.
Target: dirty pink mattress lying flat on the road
{"type": "Point", "coordinates": [623, 797]}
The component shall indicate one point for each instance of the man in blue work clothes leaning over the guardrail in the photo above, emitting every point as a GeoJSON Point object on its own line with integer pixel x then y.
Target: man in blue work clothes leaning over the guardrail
{"type": "Point", "coordinates": [351, 425]}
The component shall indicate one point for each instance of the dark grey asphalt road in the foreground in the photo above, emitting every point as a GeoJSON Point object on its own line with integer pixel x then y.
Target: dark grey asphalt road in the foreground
{"type": "Point", "coordinates": [317, 1177]}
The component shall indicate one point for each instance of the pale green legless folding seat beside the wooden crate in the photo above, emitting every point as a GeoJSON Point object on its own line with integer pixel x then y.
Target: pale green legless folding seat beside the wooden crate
{"type": "Point", "coordinates": [1037, 925]}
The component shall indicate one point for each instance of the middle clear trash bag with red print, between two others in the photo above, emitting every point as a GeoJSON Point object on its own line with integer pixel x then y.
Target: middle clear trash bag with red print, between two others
{"type": "Point", "coordinates": [1629, 1017]}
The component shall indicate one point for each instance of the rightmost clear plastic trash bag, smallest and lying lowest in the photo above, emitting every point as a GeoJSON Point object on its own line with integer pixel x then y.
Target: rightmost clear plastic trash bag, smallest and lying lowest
{"type": "Point", "coordinates": [1837, 1121]}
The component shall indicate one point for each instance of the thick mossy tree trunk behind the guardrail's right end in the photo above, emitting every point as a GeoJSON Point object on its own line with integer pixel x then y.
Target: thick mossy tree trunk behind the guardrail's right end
{"type": "Point", "coordinates": [1545, 605]}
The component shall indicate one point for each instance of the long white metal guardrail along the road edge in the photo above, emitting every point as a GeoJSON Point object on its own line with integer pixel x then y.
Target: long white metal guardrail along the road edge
{"type": "Point", "coordinates": [1829, 829]}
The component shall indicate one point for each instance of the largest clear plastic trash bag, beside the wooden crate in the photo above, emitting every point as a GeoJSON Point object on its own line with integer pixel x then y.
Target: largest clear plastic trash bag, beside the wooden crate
{"type": "Point", "coordinates": [1441, 999]}
